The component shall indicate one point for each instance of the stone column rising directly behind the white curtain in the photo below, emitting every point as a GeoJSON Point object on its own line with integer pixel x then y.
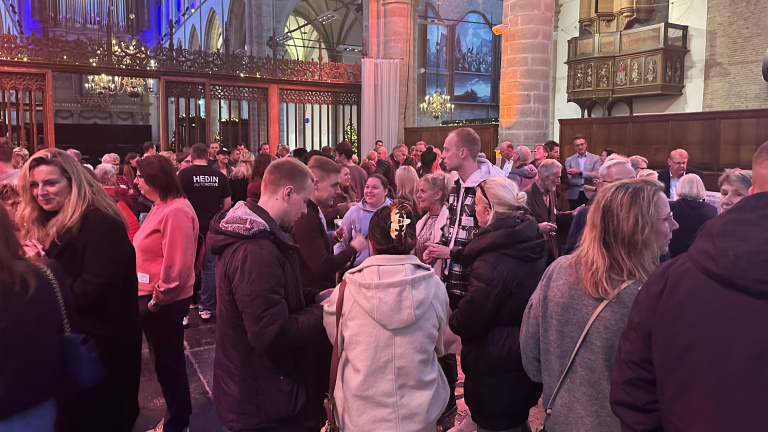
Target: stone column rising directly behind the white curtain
{"type": "Point", "coordinates": [392, 35]}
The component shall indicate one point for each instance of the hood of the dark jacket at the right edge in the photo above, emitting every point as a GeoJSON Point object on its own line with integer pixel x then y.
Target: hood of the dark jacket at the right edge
{"type": "Point", "coordinates": [729, 248]}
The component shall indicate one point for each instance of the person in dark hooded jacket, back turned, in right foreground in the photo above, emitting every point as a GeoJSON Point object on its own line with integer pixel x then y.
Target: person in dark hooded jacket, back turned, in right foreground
{"type": "Point", "coordinates": [693, 352]}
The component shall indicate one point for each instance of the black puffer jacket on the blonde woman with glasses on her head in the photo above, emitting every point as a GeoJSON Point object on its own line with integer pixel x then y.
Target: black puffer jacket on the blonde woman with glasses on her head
{"type": "Point", "coordinates": [507, 260]}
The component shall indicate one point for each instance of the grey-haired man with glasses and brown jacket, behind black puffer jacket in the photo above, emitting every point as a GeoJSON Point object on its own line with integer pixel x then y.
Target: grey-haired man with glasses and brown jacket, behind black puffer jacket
{"type": "Point", "coordinates": [541, 198]}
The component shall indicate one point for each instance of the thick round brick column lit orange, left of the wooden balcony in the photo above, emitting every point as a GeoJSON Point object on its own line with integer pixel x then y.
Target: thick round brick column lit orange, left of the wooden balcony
{"type": "Point", "coordinates": [526, 68]}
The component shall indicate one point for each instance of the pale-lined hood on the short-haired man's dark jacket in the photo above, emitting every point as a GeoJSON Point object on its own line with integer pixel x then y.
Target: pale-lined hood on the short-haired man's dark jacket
{"type": "Point", "coordinates": [246, 220]}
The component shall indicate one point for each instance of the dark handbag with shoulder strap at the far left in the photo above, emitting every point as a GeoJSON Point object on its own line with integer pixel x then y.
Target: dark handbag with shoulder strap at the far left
{"type": "Point", "coordinates": [80, 352]}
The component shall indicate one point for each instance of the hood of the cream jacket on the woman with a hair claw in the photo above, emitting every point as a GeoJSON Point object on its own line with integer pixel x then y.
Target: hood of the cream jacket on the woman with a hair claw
{"type": "Point", "coordinates": [394, 290]}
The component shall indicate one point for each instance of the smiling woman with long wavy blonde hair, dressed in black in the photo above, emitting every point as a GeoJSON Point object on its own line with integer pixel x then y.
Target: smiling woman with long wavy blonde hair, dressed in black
{"type": "Point", "coordinates": [66, 216]}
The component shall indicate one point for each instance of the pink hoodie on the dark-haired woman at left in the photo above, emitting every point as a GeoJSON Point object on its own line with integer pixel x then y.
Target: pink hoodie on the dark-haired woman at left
{"type": "Point", "coordinates": [165, 251]}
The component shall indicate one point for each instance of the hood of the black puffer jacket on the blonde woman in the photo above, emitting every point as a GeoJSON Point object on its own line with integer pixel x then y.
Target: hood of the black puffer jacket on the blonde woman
{"type": "Point", "coordinates": [518, 239]}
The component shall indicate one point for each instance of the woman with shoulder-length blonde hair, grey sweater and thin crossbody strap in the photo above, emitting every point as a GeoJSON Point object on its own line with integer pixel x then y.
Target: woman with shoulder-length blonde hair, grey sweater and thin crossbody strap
{"type": "Point", "coordinates": [628, 228]}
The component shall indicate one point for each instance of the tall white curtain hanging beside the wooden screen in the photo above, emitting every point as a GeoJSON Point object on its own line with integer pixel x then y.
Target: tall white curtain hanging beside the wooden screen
{"type": "Point", "coordinates": [380, 104]}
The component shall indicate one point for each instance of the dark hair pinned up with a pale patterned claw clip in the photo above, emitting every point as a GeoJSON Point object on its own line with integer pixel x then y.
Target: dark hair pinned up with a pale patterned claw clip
{"type": "Point", "coordinates": [380, 232]}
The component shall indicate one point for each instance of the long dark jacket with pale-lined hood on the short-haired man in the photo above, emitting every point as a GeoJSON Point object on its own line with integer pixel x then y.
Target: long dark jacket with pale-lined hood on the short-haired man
{"type": "Point", "coordinates": [272, 354]}
